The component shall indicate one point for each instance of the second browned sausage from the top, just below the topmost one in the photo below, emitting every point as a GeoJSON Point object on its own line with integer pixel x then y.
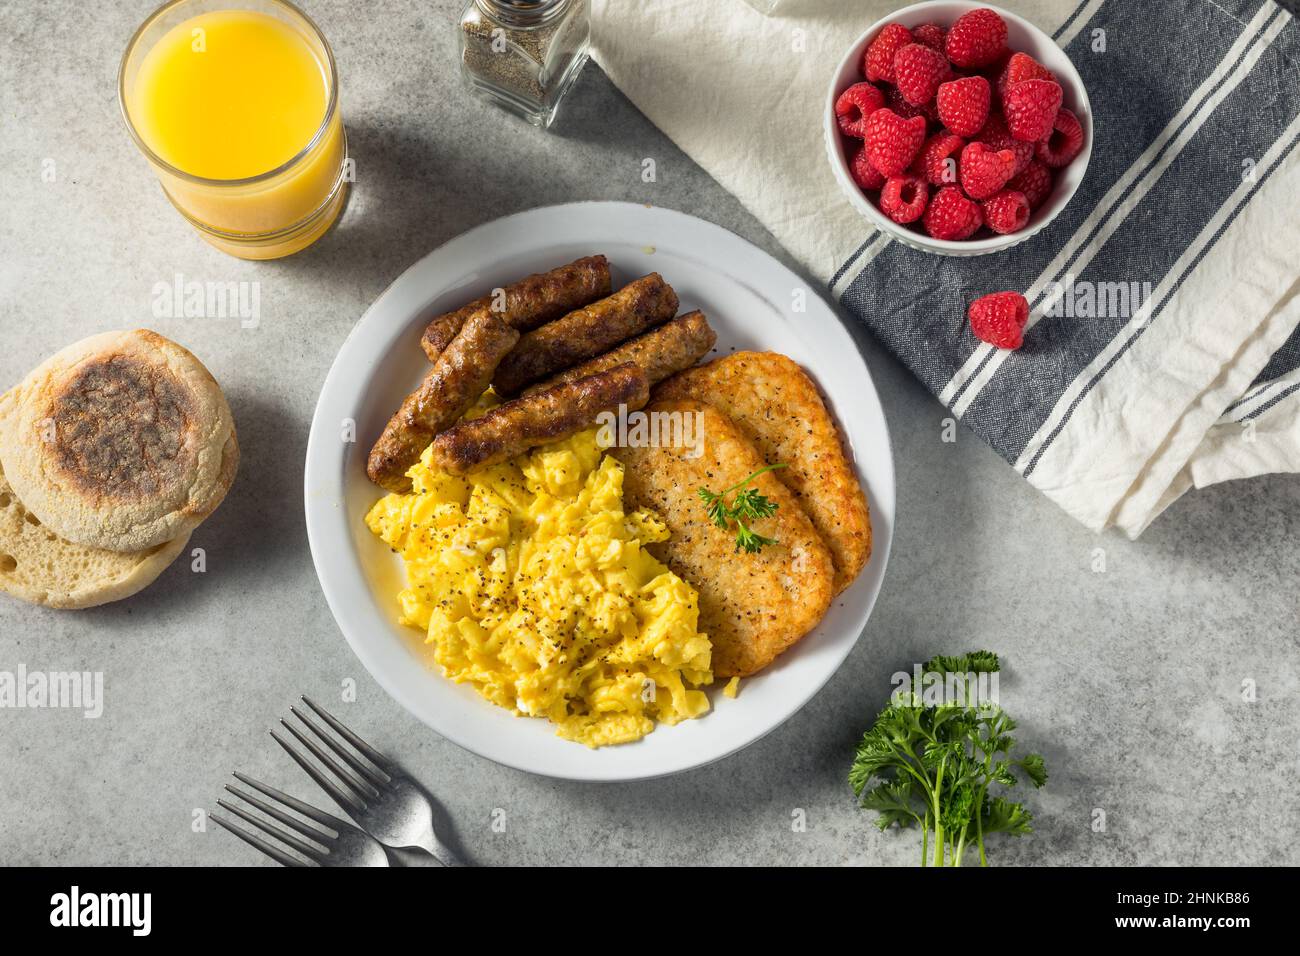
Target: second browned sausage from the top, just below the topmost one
{"type": "Point", "coordinates": [586, 334]}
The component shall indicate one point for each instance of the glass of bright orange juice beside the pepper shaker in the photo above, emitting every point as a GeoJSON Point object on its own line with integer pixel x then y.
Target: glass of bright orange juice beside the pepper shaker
{"type": "Point", "coordinates": [236, 106]}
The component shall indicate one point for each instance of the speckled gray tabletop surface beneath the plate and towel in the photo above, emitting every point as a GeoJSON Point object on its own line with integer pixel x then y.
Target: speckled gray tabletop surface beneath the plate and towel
{"type": "Point", "coordinates": [1130, 681]}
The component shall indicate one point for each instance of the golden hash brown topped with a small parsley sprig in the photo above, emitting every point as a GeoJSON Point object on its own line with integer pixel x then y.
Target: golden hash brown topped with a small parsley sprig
{"type": "Point", "coordinates": [753, 607]}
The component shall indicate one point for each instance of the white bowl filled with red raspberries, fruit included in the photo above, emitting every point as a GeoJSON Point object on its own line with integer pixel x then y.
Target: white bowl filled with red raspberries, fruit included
{"type": "Point", "coordinates": [957, 128]}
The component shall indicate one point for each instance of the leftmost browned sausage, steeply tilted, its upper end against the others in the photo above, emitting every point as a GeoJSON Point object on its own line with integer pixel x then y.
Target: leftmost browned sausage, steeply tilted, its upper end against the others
{"type": "Point", "coordinates": [458, 379]}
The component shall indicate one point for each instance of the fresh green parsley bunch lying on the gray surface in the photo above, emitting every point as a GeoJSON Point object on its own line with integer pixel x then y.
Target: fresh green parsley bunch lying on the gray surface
{"type": "Point", "coordinates": [935, 767]}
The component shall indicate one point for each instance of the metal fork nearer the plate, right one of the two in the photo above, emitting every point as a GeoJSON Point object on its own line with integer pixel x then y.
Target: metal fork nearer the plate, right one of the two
{"type": "Point", "coordinates": [376, 794]}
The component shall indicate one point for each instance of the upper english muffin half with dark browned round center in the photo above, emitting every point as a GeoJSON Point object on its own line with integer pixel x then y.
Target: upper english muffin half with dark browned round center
{"type": "Point", "coordinates": [122, 442]}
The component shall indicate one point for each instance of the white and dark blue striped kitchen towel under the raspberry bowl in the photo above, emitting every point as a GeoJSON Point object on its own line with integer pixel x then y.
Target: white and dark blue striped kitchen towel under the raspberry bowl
{"type": "Point", "coordinates": [1163, 352]}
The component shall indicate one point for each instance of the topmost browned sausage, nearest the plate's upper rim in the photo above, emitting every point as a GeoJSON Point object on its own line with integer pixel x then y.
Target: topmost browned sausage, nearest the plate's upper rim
{"type": "Point", "coordinates": [530, 302]}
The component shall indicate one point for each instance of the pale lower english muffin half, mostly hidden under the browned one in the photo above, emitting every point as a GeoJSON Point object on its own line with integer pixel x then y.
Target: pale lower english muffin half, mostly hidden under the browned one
{"type": "Point", "coordinates": [40, 568]}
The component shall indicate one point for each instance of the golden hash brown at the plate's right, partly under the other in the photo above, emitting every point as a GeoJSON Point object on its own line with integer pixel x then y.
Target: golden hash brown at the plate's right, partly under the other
{"type": "Point", "coordinates": [778, 408]}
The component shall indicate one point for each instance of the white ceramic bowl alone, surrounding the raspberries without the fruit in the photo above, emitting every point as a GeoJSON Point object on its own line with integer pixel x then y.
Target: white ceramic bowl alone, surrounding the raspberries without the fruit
{"type": "Point", "coordinates": [1021, 37]}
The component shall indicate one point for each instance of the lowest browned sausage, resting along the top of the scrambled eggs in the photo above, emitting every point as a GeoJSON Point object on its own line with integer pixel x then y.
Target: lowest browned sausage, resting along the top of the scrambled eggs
{"type": "Point", "coordinates": [551, 416]}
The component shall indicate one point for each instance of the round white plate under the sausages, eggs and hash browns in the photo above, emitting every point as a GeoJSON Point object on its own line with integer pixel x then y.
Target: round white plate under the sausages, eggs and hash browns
{"type": "Point", "coordinates": [749, 300]}
